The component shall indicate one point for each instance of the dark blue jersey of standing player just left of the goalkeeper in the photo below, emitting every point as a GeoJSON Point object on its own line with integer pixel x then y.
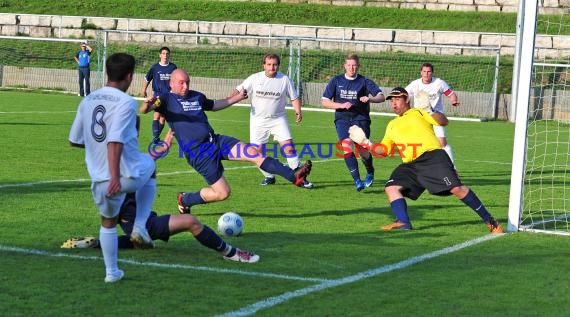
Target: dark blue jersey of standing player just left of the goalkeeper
{"type": "Point", "coordinates": [340, 89]}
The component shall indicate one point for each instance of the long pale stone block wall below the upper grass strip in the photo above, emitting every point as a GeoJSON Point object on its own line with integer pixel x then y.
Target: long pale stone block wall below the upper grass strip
{"type": "Point", "coordinates": [71, 27]}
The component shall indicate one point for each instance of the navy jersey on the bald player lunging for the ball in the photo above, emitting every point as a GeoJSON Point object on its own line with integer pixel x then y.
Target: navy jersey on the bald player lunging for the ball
{"type": "Point", "coordinates": [186, 117]}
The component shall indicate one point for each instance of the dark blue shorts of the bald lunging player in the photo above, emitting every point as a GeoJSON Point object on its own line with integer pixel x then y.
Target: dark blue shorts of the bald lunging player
{"type": "Point", "coordinates": [207, 159]}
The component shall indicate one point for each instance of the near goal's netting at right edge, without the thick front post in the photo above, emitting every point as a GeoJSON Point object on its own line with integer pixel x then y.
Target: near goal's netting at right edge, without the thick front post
{"type": "Point", "coordinates": [546, 193]}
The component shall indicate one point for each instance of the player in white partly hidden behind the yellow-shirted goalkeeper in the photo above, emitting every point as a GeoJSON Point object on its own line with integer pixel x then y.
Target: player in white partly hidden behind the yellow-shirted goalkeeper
{"type": "Point", "coordinates": [435, 88]}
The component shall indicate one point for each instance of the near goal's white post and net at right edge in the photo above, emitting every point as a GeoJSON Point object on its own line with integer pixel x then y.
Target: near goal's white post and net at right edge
{"type": "Point", "coordinates": [544, 187]}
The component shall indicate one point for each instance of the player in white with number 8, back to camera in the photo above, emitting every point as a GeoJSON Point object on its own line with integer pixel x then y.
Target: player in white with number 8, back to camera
{"type": "Point", "coordinates": [105, 125]}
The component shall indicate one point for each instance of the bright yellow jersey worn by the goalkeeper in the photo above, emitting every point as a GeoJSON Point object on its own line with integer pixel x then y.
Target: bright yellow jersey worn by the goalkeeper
{"type": "Point", "coordinates": [410, 135]}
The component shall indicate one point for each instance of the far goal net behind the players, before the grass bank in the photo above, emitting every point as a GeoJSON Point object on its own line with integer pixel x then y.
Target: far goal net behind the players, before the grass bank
{"type": "Point", "coordinates": [218, 63]}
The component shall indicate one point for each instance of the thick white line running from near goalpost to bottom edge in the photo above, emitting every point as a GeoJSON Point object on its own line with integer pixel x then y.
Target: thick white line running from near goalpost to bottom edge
{"type": "Point", "coordinates": [276, 300]}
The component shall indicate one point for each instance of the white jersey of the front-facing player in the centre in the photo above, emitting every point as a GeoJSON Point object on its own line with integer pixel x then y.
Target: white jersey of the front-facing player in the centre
{"type": "Point", "coordinates": [269, 95]}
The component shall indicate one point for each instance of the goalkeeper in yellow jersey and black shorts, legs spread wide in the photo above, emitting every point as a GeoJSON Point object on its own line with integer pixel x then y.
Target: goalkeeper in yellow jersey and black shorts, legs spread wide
{"type": "Point", "coordinates": [425, 164]}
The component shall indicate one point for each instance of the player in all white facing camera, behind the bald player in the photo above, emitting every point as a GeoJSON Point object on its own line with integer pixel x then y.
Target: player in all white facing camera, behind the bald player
{"type": "Point", "coordinates": [269, 91]}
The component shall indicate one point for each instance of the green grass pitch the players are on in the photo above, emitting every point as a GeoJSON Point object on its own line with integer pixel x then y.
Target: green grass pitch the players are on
{"type": "Point", "coordinates": [322, 253]}
